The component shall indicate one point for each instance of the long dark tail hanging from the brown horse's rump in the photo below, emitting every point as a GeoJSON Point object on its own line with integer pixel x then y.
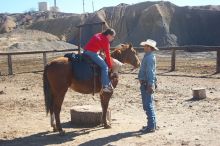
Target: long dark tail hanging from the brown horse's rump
{"type": "Point", "coordinates": [47, 91]}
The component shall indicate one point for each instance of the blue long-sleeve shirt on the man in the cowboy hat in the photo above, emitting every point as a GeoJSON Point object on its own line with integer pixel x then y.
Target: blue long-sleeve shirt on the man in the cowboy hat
{"type": "Point", "coordinates": [147, 70]}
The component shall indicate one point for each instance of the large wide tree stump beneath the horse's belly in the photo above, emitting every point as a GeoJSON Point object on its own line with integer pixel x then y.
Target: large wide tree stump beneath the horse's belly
{"type": "Point", "coordinates": [88, 115]}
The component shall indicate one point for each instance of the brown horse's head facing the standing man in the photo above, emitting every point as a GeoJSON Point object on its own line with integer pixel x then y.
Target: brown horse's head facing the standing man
{"type": "Point", "coordinates": [126, 54]}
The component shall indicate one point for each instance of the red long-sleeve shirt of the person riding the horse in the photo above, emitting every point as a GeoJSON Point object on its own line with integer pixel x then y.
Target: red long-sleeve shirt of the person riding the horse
{"type": "Point", "coordinates": [99, 42]}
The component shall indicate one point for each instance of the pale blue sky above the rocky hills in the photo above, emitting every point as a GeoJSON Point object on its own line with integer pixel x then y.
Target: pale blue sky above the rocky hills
{"type": "Point", "coordinates": [76, 6]}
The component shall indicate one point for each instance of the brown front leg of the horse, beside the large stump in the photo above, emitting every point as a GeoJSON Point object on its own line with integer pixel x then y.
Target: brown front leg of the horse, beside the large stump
{"type": "Point", "coordinates": [104, 102]}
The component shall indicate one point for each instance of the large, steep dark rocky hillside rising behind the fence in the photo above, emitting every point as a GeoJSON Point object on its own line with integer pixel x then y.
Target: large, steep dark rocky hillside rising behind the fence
{"type": "Point", "coordinates": [165, 22]}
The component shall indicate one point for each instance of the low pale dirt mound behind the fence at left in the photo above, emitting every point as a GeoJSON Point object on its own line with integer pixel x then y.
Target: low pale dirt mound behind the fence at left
{"type": "Point", "coordinates": [30, 40]}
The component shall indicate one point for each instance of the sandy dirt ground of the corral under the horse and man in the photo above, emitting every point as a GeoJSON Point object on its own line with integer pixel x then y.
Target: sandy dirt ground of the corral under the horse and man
{"type": "Point", "coordinates": [181, 121]}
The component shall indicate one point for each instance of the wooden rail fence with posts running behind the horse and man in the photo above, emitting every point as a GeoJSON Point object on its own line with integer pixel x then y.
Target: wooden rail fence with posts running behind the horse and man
{"type": "Point", "coordinates": [173, 54]}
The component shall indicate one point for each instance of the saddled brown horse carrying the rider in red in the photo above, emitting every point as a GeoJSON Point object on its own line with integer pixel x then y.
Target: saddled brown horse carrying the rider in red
{"type": "Point", "coordinates": [58, 77]}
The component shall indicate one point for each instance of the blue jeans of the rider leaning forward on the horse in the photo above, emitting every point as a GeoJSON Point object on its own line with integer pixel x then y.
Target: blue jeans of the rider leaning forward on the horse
{"type": "Point", "coordinates": [101, 63]}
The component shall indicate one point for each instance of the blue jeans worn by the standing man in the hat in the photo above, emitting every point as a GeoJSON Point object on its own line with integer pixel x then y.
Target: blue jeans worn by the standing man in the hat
{"type": "Point", "coordinates": [148, 106]}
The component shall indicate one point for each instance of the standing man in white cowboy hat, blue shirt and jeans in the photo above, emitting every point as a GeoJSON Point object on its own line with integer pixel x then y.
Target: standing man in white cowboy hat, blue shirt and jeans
{"type": "Point", "coordinates": [147, 78]}
